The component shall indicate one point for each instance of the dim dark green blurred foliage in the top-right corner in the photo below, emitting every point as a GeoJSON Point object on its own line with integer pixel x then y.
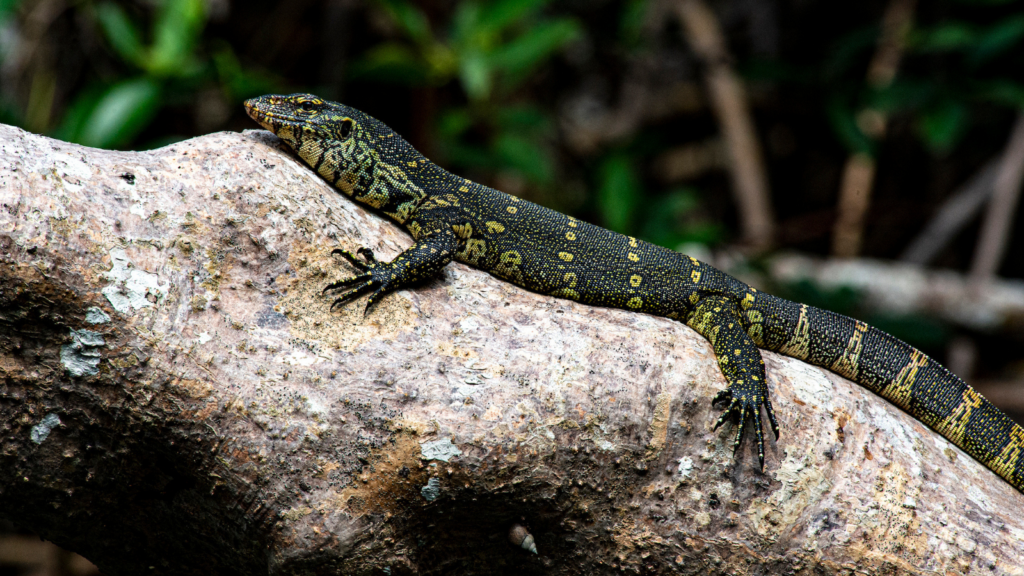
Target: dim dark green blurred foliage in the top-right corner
{"type": "Point", "coordinates": [941, 105]}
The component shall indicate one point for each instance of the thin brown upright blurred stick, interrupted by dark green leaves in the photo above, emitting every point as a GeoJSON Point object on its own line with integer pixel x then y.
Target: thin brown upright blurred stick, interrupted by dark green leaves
{"type": "Point", "coordinates": [859, 175]}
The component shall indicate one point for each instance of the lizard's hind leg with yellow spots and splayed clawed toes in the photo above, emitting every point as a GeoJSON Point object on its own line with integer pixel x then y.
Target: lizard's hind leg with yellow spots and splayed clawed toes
{"type": "Point", "coordinates": [717, 318]}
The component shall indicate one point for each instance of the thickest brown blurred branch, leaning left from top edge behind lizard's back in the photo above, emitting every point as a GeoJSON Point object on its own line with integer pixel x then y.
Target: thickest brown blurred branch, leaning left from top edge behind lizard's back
{"type": "Point", "coordinates": [750, 180]}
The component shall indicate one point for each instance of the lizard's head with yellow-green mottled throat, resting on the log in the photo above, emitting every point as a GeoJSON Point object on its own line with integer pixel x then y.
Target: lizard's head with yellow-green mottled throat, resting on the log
{"type": "Point", "coordinates": [335, 140]}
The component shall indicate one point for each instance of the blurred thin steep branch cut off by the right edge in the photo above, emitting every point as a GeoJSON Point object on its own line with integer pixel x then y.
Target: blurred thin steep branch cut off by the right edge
{"type": "Point", "coordinates": [997, 226]}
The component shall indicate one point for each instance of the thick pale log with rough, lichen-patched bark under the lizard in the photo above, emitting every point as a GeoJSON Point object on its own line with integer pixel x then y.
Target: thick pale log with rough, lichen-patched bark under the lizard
{"type": "Point", "coordinates": [177, 398]}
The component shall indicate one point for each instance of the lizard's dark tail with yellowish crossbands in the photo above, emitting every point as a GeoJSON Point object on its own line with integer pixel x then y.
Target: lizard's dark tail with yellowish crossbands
{"type": "Point", "coordinates": [902, 375]}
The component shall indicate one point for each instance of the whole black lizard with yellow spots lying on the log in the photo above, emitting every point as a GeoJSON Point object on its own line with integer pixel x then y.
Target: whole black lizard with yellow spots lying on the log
{"type": "Point", "coordinates": [551, 254]}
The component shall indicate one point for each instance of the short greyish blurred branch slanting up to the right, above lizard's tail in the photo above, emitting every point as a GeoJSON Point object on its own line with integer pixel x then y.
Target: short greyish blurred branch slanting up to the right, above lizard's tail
{"type": "Point", "coordinates": [955, 214]}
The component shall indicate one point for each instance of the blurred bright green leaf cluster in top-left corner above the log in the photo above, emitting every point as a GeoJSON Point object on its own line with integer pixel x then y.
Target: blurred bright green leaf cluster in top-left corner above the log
{"type": "Point", "coordinates": [162, 66]}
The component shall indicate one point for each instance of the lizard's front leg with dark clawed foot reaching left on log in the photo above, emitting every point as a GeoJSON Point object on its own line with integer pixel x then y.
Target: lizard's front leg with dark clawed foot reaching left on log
{"type": "Point", "coordinates": [435, 249]}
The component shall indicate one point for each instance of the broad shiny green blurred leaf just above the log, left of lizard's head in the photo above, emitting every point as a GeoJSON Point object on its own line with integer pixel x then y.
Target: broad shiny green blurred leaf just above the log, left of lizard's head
{"type": "Point", "coordinates": [120, 114]}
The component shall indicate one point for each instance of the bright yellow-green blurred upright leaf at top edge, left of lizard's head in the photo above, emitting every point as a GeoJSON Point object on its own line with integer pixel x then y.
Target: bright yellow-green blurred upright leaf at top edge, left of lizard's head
{"type": "Point", "coordinates": [176, 36]}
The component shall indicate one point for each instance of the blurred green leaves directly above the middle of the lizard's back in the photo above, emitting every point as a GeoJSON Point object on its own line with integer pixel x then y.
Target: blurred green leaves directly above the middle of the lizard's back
{"type": "Point", "coordinates": [491, 50]}
